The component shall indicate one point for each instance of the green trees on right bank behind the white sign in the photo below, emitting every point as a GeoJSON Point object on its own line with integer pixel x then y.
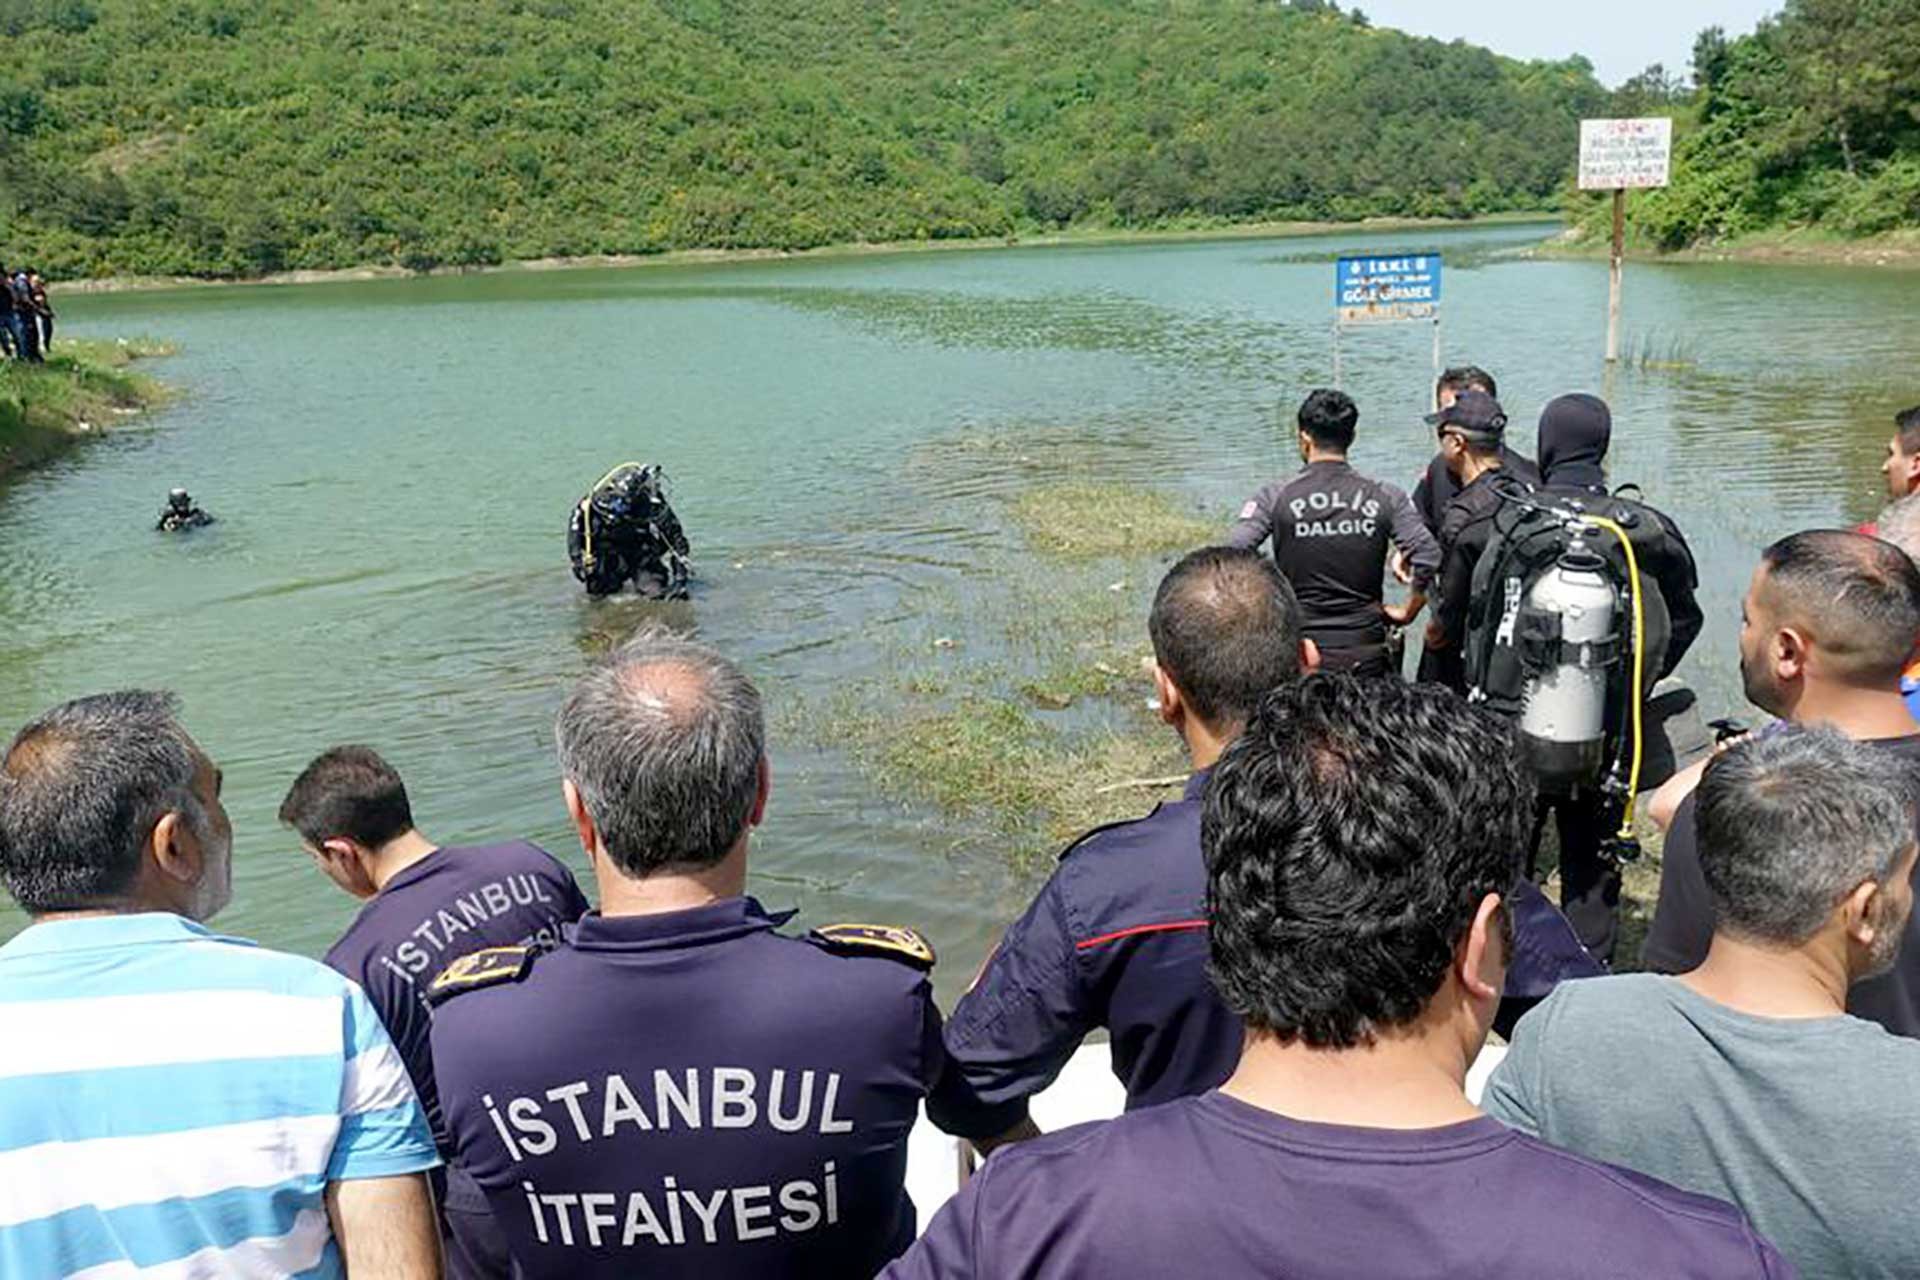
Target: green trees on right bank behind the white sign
{"type": "Point", "coordinates": [1810, 122]}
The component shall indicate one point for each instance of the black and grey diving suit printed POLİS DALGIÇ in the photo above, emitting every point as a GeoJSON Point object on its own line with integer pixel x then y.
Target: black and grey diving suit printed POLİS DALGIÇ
{"type": "Point", "coordinates": [1332, 529]}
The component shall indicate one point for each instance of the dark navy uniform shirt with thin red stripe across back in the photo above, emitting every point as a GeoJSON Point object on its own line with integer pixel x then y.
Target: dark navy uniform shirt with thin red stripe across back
{"type": "Point", "coordinates": [1118, 939]}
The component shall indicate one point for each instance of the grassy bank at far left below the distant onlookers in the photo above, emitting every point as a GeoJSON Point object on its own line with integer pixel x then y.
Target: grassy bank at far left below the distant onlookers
{"type": "Point", "coordinates": [80, 391]}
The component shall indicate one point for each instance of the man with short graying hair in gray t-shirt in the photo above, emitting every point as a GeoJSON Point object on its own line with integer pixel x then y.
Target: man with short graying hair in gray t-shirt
{"type": "Point", "coordinates": [1746, 1079]}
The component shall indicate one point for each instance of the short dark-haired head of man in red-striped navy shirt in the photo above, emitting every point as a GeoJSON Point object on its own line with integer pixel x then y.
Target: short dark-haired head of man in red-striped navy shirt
{"type": "Point", "coordinates": [1226, 630]}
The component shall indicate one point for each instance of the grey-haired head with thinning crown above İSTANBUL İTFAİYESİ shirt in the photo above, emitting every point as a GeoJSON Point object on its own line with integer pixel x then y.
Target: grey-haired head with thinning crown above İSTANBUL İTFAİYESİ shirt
{"type": "Point", "coordinates": [665, 740]}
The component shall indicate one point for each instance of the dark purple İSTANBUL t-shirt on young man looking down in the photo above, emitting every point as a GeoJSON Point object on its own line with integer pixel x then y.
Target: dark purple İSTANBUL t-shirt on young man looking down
{"type": "Point", "coordinates": [448, 905]}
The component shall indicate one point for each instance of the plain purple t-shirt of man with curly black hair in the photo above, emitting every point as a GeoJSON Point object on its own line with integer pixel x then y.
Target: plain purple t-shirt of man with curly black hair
{"type": "Point", "coordinates": [1212, 1187]}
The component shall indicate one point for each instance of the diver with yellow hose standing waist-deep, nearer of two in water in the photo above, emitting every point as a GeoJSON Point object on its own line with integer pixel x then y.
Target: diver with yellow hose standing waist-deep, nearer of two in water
{"type": "Point", "coordinates": [625, 531]}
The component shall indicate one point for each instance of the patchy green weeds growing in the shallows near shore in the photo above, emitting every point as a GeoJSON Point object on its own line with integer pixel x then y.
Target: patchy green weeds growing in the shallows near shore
{"type": "Point", "coordinates": [1017, 713]}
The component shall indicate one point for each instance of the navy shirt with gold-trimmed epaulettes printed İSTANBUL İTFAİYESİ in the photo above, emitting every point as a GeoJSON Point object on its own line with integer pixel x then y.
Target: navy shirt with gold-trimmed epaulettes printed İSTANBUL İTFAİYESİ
{"type": "Point", "coordinates": [692, 1095]}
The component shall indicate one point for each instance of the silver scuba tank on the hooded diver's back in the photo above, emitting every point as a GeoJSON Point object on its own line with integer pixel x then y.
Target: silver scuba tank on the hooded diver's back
{"type": "Point", "coordinates": [1570, 669]}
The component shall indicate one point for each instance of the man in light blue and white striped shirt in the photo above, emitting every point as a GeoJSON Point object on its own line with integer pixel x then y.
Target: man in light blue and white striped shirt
{"type": "Point", "coordinates": [178, 1102]}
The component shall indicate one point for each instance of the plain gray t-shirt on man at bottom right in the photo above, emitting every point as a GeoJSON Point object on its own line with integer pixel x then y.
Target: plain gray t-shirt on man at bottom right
{"type": "Point", "coordinates": [1808, 1126]}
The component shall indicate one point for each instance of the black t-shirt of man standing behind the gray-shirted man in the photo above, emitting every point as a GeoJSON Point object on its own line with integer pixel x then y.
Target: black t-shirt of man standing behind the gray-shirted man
{"type": "Point", "coordinates": [1683, 920]}
